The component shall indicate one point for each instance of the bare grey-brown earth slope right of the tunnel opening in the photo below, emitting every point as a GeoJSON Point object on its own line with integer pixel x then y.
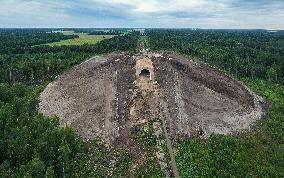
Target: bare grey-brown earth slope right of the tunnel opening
{"type": "Point", "coordinates": [201, 100]}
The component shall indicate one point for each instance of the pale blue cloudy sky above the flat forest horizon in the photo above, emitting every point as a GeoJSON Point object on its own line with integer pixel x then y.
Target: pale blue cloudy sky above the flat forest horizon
{"type": "Point", "coordinates": [231, 14]}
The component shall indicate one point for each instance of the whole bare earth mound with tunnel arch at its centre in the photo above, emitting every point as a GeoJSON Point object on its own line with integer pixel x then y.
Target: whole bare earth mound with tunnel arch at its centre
{"type": "Point", "coordinates": [108, 95]}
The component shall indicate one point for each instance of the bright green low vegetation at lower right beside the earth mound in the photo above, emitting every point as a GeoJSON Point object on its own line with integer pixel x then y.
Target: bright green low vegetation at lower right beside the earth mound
{"type": "Point", "coordinates": [259, 153]}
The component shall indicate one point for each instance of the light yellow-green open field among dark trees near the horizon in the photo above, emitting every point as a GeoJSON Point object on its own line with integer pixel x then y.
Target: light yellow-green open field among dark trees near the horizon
{"type": "Point", "coordinates": [83, 39]}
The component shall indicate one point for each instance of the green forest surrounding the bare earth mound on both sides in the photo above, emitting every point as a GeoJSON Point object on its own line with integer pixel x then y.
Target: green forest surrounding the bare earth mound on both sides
{"type": "Point", "coordinates": [32, 145]}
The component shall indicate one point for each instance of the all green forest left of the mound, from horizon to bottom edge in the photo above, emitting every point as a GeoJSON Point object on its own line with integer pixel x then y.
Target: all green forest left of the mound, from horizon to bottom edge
{"type": "Point", "coordinates": [32, 145]}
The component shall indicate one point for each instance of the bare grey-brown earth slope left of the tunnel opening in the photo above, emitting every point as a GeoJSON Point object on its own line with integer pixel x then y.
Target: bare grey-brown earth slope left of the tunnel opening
{"type": "Point", "coordinates": [92, 96]}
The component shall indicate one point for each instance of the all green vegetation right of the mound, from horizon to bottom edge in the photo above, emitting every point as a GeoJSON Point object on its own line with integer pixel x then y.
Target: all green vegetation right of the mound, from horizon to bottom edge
{"type": "Point", "coordinates": [256, 56]}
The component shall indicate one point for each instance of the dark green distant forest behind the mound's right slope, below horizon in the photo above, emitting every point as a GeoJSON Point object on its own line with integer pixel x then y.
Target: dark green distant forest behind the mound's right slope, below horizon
{"type": "Point", "coordinates": [254, 54]}
